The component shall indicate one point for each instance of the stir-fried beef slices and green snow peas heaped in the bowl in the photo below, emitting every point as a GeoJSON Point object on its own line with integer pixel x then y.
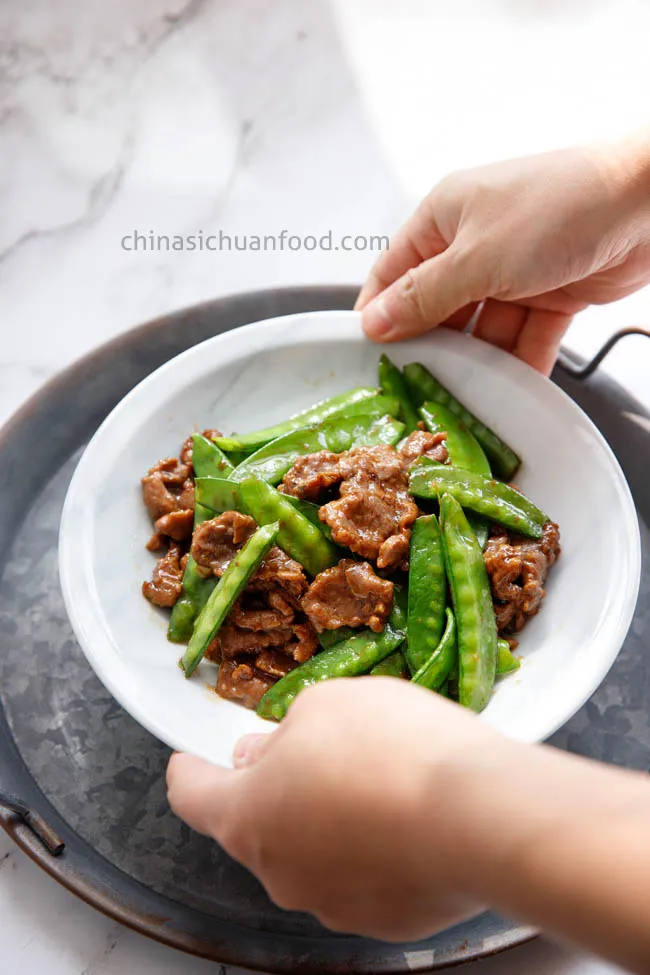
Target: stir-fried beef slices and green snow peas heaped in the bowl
{"type": "Point", "coordinates": [375, 533]}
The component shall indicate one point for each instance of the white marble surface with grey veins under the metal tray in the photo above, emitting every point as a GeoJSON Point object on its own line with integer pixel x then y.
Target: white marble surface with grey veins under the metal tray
{"type": "Point", "coordinates": [251, 116]}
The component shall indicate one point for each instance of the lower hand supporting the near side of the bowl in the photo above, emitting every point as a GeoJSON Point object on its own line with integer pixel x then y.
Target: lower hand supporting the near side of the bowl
{"type": "Point", "coordinates": [343, 812]}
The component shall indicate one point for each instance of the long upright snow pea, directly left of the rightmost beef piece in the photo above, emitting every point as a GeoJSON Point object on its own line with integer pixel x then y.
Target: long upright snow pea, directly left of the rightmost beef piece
{"type": "Point", "coordinates": [472, 601]}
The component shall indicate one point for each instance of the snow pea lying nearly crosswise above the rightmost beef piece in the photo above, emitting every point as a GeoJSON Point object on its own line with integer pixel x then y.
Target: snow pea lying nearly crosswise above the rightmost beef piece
{"type": "Point", "coordinates": [493, 499]}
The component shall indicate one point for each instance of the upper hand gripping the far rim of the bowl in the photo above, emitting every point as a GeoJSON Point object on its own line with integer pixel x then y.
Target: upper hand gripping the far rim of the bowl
{"type": "Point", "coordinates": [536, 239]}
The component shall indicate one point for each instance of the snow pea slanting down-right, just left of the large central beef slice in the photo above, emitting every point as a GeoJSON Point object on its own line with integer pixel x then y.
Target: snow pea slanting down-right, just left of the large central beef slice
{"type": "Point", "coordinates": [298, 537]}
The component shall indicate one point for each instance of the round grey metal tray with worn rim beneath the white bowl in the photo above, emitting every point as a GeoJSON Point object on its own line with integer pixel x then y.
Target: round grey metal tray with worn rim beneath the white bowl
{"type": "Point", "coordinates": [83, 785]}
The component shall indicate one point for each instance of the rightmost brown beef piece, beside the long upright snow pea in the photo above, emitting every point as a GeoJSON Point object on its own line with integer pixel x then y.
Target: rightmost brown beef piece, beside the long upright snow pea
{"type": "Point", "coordinates": [517, 568]}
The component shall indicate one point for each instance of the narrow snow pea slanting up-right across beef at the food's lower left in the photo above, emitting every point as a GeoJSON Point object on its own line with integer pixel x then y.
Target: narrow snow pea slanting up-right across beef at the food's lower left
{"type": "Point", "coordinates": [226, 592]}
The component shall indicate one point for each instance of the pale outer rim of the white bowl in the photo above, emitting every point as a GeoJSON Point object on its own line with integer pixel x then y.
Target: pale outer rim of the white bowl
{"type": "Point", "coordinates": [82, 605]}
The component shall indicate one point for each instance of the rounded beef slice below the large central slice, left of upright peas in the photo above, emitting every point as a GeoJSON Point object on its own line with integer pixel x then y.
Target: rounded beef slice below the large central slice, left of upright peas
{"type": "Point", "coordinates": [348, 594]}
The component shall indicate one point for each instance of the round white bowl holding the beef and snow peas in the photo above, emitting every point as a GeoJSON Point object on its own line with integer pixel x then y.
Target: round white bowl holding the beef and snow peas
{"type": "Point", "coordinates": [262, 373]}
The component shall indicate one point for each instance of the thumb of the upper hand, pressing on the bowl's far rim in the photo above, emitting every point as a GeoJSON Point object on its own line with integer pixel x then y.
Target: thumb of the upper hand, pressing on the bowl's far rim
{"type": "Point", "coordinates": [426, 296]}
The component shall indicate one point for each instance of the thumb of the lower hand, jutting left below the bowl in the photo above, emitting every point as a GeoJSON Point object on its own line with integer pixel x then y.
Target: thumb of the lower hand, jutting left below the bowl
{"type": "Point", "coordinates": [198, 792]}
